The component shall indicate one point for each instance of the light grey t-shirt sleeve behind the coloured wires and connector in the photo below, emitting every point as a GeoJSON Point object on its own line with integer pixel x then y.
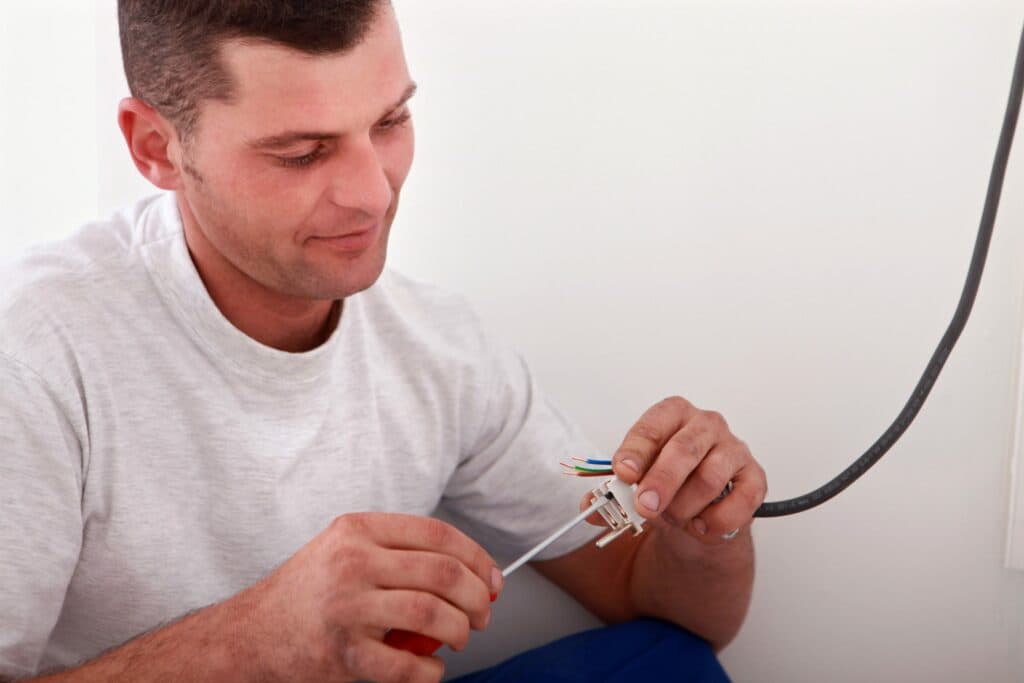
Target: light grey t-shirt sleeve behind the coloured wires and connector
{"type": "Point", "coordinates": [509, 492]}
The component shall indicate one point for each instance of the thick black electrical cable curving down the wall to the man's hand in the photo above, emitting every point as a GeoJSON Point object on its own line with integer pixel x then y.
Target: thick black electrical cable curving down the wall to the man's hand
{"type": "Point", "coordinates": [927, 381]}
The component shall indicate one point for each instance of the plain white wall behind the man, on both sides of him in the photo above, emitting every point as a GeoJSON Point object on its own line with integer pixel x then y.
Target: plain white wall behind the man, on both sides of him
{"type": "Point", "coordinates": [767, 207]}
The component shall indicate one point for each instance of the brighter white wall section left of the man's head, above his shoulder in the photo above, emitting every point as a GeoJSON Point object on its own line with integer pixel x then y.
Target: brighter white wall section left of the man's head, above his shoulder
{"type": "Point", "coordinates": [49, 181]}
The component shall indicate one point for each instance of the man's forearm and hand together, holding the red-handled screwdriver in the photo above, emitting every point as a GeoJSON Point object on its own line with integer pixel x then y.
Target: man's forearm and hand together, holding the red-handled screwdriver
{"type": "Point", "coordinates": [323, 615]}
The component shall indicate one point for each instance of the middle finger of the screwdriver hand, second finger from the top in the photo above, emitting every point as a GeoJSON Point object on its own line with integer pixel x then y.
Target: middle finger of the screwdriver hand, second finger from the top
{"type": "Point", "coordinates": [445, 576]}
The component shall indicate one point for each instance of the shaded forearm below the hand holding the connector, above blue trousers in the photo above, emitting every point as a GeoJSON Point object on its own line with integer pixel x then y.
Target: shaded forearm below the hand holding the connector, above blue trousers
{"type": "Point", "coordinates": [710, 588]}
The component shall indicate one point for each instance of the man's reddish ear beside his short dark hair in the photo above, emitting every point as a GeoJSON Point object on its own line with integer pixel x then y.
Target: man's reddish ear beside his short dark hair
{"type": "Point", "coordinates": [150, 140]}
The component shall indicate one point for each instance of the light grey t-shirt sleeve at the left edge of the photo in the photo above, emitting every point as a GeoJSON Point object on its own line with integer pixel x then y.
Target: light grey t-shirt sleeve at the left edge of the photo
{"type": "Point", "coordinates": [40, 515]}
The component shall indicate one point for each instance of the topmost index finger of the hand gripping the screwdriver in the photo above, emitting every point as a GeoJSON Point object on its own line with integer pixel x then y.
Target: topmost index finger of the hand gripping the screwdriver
{"type": "Point", "coordinates": [413, 533]}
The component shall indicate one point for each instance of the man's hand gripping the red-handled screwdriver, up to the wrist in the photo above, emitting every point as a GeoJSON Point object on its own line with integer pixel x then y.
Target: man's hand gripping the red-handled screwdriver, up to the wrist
{"type": "Point", "coordinates": [324, 614]}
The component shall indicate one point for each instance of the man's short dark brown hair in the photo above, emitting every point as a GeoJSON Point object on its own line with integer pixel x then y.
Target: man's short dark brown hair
{"type": "Point", "coordinates": [172, 48]}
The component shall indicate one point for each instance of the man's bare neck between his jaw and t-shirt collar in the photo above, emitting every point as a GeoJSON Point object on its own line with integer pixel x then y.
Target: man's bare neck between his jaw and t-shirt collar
{"type": "Point", "coordinates": [276, 320]}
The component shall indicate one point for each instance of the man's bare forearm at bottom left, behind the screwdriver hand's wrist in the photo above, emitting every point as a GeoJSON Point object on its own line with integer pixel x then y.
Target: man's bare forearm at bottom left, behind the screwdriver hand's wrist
{"type": "Point", "coordinates": [206, 646]}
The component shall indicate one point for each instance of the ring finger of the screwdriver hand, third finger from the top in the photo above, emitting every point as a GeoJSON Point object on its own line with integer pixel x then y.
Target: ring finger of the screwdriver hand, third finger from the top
{"type": "Point", "coordinates": [417, 612]}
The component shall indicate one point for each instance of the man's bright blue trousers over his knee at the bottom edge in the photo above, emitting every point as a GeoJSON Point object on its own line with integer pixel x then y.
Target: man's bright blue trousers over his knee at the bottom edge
{"type": "Point", "coordinates": [642, 651]}
